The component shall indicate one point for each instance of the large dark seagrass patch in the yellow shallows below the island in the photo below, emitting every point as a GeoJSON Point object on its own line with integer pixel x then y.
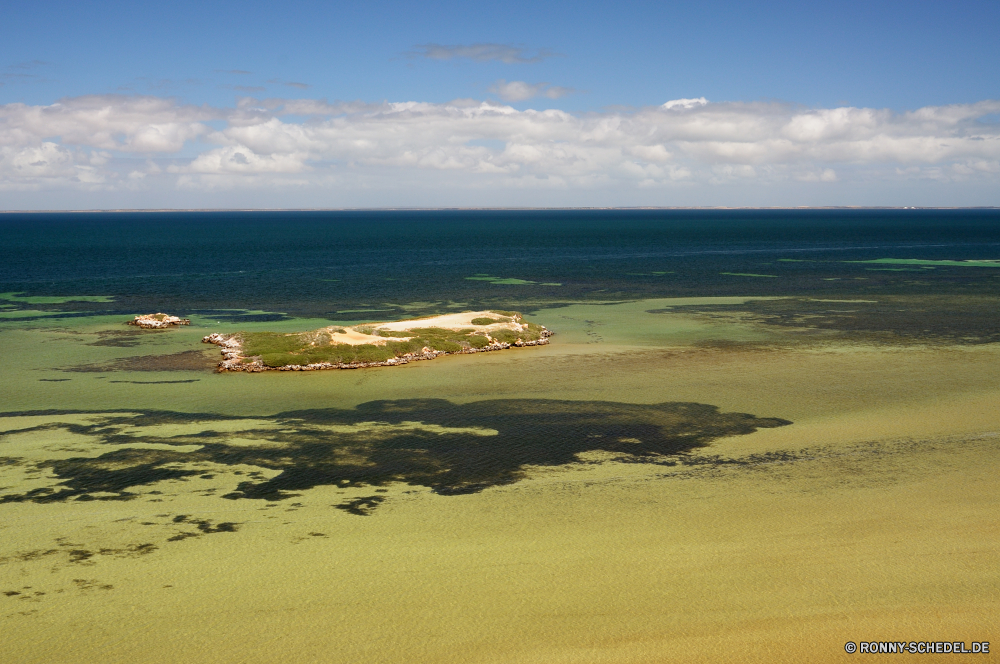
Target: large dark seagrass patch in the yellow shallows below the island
{"type": "Point", "coordinates": [448, 447]}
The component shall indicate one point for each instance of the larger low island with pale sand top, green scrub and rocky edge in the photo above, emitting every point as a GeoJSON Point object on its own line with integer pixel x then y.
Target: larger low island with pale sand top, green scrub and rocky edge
{"type": "Point", "coordinates": [377, 344]}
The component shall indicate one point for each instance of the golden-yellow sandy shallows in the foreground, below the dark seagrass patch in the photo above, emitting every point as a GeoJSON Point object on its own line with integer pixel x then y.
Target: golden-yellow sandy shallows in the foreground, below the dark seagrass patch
{"type": "Point", "coordinates": [781, 565]}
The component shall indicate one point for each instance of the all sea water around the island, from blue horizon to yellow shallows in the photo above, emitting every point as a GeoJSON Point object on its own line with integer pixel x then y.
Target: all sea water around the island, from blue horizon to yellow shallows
{"type": "Point", "coordinates": [754, 432]}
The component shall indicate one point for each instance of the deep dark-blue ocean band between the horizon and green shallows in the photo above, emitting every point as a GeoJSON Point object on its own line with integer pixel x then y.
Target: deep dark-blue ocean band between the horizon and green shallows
{"type": "Point", "coordinates": [362, 264]}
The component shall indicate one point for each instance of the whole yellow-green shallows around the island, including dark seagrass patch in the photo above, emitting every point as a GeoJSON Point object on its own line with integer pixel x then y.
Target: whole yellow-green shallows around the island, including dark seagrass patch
{"type": "Point", "coordinates": [871, 515]}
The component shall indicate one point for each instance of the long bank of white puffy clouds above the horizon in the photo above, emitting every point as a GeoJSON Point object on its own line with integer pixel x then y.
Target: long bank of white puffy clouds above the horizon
{"type": "Point", "coordinates": [108, 144]}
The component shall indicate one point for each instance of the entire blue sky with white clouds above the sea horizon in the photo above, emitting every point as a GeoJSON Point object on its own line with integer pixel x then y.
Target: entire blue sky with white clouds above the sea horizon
{"type": "Point", "coordinates": [107, 105]}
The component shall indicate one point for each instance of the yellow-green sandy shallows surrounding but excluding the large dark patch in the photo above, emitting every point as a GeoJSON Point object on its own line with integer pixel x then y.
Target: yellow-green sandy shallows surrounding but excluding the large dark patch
{"type": "Point", "coordinates": [873, 516]}
